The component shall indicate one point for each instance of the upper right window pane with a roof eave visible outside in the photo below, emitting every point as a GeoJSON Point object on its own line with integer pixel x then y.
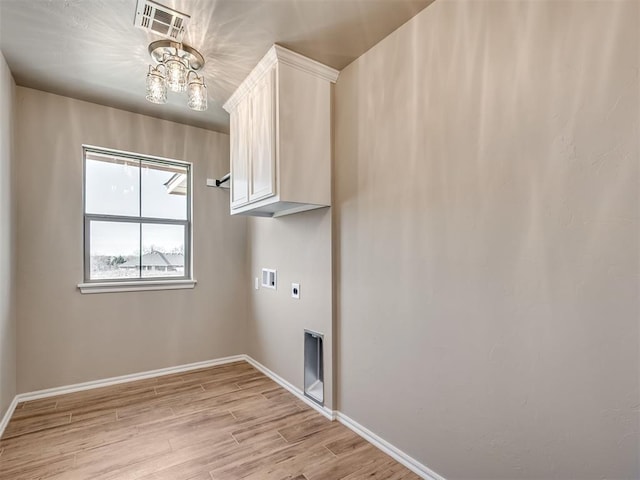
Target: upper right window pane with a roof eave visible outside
{"type": "Point", "coordinates": [164, 191]}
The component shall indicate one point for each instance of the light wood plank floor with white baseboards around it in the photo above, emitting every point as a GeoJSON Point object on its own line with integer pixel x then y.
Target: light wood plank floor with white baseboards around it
{"type": "Point", "coordinates": [221, 423]}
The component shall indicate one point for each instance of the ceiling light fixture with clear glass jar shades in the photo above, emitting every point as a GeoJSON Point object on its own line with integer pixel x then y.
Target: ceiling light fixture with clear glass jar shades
{"type": "Point", "coordinates": [176, 69]}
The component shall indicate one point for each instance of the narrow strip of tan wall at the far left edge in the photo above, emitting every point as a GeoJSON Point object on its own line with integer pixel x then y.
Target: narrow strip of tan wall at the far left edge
{"type": "Point", "coordinates": [7, 240]}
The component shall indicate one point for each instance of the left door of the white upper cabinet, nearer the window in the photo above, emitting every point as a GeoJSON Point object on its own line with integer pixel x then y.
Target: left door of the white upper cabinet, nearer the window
{"type": "Point", "coordinates": [240, 130]}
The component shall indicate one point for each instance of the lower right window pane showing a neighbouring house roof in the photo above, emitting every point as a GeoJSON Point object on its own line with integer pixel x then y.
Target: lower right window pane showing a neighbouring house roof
{"type": "Point", "coordinates": [163, 250]}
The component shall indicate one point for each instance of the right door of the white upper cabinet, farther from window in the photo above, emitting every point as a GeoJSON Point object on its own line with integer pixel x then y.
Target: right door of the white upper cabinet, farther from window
{"type": "Point", "coordinates": [263, 159]}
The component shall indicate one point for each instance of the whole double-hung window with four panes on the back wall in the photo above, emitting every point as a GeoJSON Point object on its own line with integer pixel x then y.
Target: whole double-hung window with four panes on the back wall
{"type": "Point", "coordinates": [137, 218]}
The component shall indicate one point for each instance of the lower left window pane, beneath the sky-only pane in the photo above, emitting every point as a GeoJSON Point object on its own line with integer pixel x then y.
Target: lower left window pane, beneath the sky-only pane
{"type": "Point", "coordinates": [114, 250]}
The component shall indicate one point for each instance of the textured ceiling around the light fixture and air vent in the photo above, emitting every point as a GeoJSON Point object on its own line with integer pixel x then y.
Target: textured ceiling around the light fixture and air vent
{"type": "Point", "coordinates": [90, 49]}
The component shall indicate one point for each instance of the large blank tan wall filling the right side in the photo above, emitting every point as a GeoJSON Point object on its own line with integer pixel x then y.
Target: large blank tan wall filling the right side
{"type": "Point", "coordinates": [486, 206]}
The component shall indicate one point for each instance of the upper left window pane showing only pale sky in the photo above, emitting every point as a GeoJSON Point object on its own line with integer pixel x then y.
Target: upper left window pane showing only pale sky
{"type": "Point", "coordinates": [112, 185]}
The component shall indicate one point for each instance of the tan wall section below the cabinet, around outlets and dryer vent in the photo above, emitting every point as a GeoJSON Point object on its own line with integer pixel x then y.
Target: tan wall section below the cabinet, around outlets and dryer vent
{"type": "Point", "coordinates": [299, 247]}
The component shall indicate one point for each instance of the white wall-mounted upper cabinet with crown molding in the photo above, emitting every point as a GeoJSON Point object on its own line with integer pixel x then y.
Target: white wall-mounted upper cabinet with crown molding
{"type": "Point", "coordinates": [280, 120]}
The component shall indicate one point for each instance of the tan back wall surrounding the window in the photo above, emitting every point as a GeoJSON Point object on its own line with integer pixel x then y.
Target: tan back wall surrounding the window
{"type": "Point", "coordinates": [65, 337]}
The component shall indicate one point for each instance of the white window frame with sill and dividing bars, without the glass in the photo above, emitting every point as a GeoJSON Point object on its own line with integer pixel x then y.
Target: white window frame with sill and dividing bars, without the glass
{"type": "Point", "coordinates": [143, 283]}
